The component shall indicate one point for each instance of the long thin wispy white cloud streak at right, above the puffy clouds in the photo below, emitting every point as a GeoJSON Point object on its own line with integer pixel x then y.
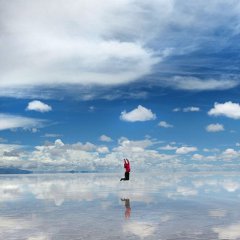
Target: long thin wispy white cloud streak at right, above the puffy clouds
{"type": "Point", "coordinates": [196, 84]}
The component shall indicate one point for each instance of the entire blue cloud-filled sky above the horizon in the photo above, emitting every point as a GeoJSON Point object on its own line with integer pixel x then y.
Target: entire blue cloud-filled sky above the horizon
{"type": "Point", "coordinates": [84, 84]}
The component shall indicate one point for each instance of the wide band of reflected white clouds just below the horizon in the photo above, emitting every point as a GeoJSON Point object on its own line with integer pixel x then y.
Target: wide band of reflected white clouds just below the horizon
{"type": "Point", "coordinates": [89, 187]}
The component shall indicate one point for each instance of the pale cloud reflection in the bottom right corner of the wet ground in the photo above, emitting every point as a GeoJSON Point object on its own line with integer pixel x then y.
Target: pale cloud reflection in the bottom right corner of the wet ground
{"type": "Point", "coordinates": [228, 232]}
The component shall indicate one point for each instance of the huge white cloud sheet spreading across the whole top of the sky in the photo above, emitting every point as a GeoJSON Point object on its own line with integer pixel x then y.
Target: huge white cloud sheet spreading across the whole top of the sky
{"type": "Point", "coordinates": [87, 43]}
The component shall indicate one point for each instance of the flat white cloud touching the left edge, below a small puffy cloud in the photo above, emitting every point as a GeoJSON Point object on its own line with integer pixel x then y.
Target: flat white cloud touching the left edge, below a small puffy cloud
{"type": "Point", "coordinates": [8, 121]}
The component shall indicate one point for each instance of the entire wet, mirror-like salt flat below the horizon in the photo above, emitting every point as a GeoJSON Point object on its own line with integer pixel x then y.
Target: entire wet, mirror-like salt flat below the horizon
{"type": "Point", "coordinates": [99, 206]}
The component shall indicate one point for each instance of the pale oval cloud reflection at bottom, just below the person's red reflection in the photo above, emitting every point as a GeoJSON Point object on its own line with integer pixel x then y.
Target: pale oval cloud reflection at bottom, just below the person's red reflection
{"type": "Point", "coordinates": [140, 229]}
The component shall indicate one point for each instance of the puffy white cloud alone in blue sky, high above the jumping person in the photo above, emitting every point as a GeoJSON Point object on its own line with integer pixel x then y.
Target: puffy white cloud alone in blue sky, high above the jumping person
{"type": "Point", "coordinates": [140, 114]}
